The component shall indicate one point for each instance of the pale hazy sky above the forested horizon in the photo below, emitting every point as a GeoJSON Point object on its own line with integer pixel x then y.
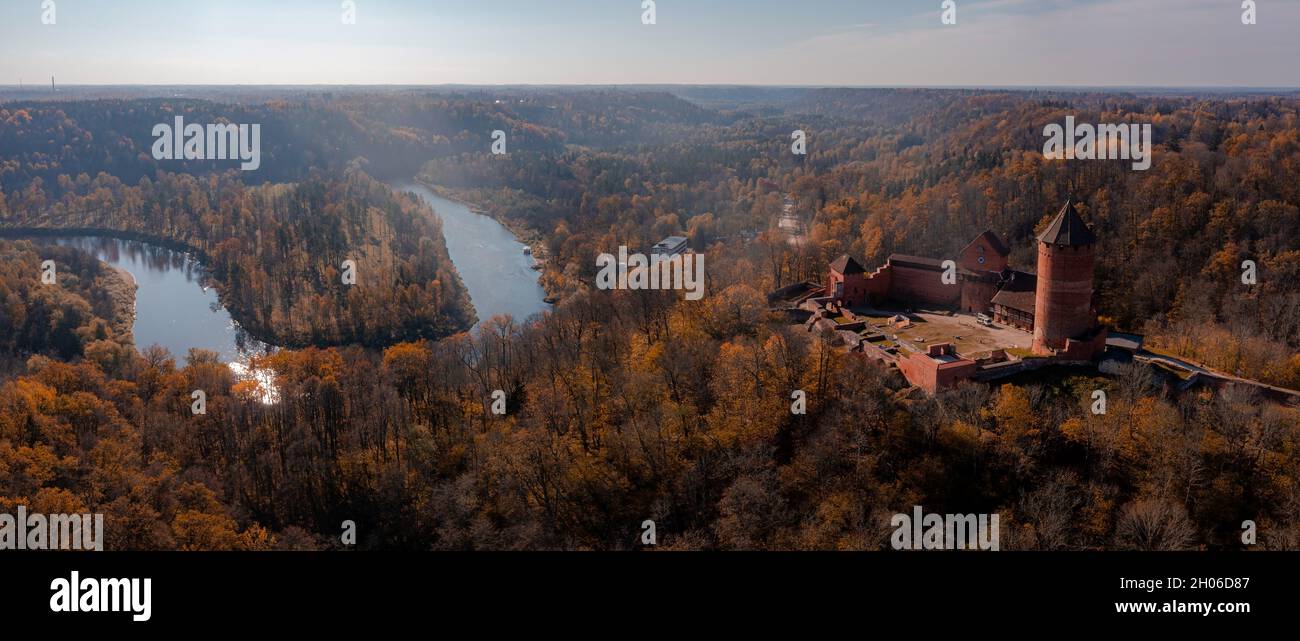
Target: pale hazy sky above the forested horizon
{"type": "Point", "coordinates": [579, 42]}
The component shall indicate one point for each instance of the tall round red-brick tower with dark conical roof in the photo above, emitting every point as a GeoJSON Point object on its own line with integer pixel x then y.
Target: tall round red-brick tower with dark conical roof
{"type": "Point", "coordinates": [1063, 305]}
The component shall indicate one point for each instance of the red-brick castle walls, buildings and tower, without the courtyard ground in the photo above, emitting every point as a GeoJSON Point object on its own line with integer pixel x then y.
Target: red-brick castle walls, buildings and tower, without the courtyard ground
{"type": "Point", "coordinates": [1054, 305]}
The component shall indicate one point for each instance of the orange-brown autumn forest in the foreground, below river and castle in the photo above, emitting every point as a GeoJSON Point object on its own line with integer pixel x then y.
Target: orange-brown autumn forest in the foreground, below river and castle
{"type": "Point", "coordinates": [609, 425]}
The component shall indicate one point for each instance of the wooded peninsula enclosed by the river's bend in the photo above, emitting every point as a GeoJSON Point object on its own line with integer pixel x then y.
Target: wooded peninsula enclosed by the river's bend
{"type": "Point", "coordinates": [278, 252]}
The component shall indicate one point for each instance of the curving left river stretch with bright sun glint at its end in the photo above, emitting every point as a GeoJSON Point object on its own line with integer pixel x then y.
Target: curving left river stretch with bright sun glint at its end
{"type": "Point", "coordinates": [174, 309]}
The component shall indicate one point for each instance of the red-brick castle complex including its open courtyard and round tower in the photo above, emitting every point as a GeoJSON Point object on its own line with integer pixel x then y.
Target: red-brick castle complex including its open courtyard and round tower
{"type": "Point", "coordinates": [937, 339]}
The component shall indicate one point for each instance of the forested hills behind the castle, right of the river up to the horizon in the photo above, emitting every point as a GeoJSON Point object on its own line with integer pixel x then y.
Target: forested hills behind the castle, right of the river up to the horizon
{"type": "Point", "coordinates": [876, 184]}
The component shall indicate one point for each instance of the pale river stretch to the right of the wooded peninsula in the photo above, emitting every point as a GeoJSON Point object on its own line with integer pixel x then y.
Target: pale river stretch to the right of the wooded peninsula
{"type": "Point", "coordinates": [489, 258]}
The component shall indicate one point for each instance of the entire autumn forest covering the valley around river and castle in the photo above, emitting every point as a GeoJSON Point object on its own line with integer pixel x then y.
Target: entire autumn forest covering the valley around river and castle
{"type": "Point", "coordinates": [632, 406]}
